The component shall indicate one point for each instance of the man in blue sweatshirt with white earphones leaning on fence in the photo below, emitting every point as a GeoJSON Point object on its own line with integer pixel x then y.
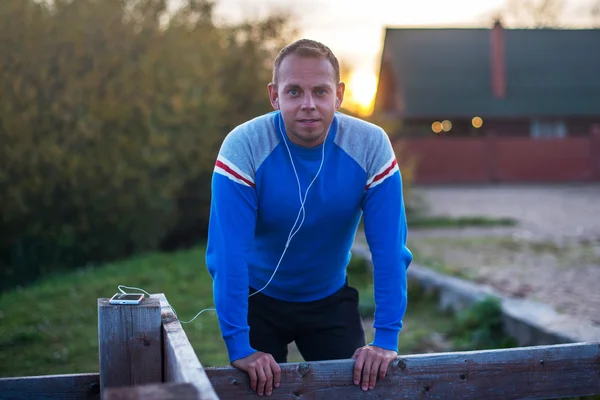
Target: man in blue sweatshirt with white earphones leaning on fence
{"type": "Point", "coordinates": [289, 189]}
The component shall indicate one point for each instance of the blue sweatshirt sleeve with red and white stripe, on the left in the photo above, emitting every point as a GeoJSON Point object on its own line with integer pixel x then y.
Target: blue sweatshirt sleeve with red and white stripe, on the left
{"type": "Point", "coordinates": [231, 229]}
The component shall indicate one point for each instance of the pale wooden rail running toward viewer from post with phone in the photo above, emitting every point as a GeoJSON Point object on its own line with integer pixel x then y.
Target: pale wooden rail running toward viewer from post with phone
{"type": "Point", "coordinates": [180, 362]}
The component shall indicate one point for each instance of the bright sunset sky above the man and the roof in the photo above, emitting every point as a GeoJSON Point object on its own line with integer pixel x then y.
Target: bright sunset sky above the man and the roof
{"type": "Point", "coordinates": [355, 30]}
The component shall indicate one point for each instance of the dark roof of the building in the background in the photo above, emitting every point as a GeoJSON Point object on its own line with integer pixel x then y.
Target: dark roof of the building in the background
{"type": "Point", "coordinates": [447, 72]}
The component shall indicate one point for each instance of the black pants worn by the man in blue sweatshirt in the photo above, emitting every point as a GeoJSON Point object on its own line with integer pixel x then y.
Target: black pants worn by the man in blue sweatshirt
{"type": "Point", "coordinates": [326, 329]}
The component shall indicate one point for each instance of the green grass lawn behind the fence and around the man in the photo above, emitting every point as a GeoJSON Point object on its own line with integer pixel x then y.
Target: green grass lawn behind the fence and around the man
{"type": "Point", "coordinates": [51, 327]}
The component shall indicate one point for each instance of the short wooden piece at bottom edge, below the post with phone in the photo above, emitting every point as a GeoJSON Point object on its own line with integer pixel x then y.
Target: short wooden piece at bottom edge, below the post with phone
{"type": "Point", "coordinates": [163, 391]}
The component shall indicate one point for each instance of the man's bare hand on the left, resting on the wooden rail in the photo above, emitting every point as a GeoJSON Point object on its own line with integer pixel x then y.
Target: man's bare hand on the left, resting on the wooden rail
{"type": "Point", "coordinates": [263, 371]}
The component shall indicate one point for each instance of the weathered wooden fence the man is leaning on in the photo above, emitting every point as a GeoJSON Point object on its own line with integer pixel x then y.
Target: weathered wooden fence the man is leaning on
{"type": "Point", "coordinates": [144, 353]}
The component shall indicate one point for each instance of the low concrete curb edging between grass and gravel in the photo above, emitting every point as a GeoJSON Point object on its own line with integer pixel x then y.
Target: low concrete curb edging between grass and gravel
{"type": "Point", "coordinates": [530, 322]}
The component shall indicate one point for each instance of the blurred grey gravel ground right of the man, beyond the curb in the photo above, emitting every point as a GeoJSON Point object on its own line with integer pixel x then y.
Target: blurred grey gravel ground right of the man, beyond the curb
{"type": "Point", "coordinates": [552, 255]}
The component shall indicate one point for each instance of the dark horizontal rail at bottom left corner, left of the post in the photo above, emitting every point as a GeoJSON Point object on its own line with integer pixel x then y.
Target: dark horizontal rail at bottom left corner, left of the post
{"type": "Point", "coordinates": [50, 387]}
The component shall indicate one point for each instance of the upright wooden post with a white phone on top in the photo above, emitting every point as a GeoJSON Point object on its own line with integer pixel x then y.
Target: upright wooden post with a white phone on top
{"type": "Point", "coordinates": [130, 343]}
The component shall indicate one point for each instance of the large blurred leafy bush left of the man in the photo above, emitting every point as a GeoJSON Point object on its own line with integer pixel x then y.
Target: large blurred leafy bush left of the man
{"type": "Point", "coordinates": [111, 114]}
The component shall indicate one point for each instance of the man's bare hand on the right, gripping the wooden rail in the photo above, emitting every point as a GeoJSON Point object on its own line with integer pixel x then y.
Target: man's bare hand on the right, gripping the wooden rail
{"type": "Point", "coordinates": [371, 361]}
